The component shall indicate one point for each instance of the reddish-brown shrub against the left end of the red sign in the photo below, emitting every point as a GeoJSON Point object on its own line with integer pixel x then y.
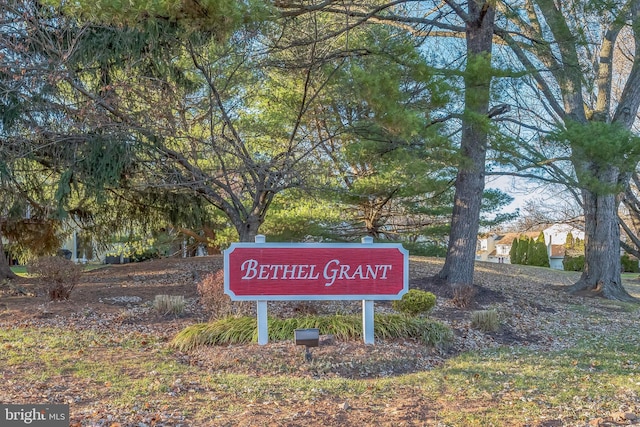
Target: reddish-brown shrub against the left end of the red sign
{"type": "Point", "coordinates": [215, 301]}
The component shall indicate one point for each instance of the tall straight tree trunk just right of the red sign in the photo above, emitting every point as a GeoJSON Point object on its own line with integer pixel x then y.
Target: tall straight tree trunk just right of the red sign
{"type": "Point", "coordinates": [458, 266]}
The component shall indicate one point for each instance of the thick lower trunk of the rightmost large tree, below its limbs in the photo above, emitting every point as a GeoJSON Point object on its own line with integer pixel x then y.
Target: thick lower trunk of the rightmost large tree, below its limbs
{"type": "Point", "coordinates": [601, 275]}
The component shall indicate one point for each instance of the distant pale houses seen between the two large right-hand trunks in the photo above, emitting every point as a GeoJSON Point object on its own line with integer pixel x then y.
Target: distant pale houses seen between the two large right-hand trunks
{"type": "Point", "coordinates": [497, 247]}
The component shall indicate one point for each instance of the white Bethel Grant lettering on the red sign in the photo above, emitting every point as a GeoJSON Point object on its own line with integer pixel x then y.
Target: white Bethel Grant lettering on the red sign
{"type": "Point", "coordinates": [331, 271]}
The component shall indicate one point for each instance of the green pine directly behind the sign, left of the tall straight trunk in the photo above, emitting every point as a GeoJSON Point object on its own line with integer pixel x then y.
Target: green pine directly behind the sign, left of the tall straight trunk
{"type": "Point", "coordinates": [375, 139]}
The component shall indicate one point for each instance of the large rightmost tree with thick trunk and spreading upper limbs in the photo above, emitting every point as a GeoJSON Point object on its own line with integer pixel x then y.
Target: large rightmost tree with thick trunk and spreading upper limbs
{"type": "Point", "coordinates": [595, 115]}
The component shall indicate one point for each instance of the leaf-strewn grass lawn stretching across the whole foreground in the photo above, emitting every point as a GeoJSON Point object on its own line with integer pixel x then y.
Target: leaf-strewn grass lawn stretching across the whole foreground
{"type": "Point", "coordinates": [108, 372]}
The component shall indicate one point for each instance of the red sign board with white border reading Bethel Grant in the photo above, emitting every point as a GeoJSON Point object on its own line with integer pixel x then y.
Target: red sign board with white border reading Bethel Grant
{"type": "Point", "coordinates": [279, 271]}
